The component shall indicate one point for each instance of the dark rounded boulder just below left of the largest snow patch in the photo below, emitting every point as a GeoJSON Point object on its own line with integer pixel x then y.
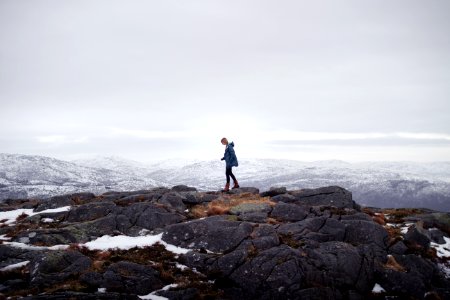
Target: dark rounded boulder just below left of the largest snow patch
{"type": "Point", "coordinates": [56, 267]}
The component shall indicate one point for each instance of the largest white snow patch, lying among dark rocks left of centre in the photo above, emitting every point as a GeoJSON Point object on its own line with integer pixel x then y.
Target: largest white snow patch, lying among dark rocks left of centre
{"type": "Point", "coordinates": [124, 242]}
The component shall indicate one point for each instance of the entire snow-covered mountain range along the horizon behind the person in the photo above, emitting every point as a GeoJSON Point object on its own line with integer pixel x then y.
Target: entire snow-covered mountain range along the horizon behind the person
{"type": "Point", "coordinates": [380, 184]}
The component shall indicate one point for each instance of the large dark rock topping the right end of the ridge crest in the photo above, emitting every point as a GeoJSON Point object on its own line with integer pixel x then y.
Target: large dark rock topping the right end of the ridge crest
{"type": "Point", "coordinates": [328, 196]}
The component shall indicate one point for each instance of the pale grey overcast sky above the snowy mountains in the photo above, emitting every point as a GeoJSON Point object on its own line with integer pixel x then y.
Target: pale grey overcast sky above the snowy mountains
{"type": "Point", "coordinates": [148, 80]}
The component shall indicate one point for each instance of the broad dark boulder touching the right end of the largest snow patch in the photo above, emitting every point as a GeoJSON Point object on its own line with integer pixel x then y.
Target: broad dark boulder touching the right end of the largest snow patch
{"type": "Point", "coordinates": [215, 234]}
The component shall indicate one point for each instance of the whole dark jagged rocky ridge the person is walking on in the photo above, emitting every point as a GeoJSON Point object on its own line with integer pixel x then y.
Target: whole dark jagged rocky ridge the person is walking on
{"type": "Point", "coordinates": [280, 244]}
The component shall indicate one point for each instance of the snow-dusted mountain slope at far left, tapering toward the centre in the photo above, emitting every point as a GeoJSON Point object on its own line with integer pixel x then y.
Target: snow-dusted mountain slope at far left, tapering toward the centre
{"type": "Point", "coordinates": [26, 176]}
